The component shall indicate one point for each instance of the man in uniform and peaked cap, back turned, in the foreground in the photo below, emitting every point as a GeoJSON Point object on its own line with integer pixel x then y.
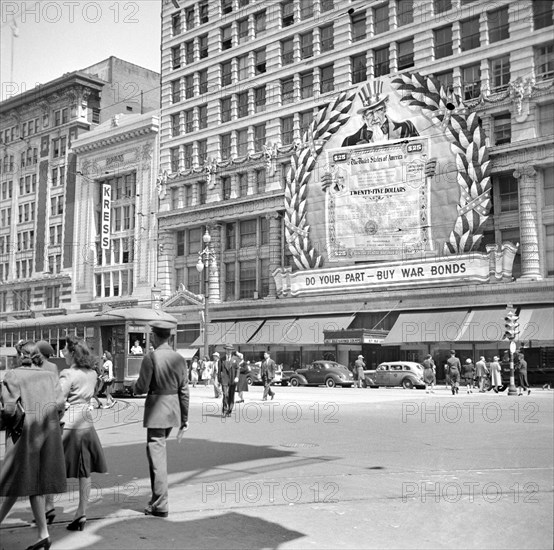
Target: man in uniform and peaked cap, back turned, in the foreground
{"type": "Point", "coordinates": [163, 376]}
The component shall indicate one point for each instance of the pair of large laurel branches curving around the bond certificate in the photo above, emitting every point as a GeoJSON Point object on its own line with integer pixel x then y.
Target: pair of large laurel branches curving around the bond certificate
{"type": "Point", "coordinates": [468, 145]}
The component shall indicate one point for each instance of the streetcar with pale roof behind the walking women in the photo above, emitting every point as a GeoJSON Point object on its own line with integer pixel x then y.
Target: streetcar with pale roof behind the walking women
{"type": "Point", "coordinates": [119, 331]}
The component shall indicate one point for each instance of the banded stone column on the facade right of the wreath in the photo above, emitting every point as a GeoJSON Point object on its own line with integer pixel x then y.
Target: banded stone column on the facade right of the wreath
{"type": "Point", "coordinates": [528, 223]}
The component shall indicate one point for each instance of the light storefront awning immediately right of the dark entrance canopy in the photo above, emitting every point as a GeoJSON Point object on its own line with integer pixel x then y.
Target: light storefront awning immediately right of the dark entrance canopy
{"type": "Point", "coordinates": [433, 326]}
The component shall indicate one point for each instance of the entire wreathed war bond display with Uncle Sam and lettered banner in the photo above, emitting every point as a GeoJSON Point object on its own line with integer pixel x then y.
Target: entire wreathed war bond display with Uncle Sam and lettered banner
{"type": "Point", "coordinates": [391, 187]}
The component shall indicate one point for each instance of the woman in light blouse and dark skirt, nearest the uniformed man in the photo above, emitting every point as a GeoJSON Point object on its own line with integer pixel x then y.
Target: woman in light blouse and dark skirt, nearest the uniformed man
{"type": "Point", "coordinates": [82, 449]}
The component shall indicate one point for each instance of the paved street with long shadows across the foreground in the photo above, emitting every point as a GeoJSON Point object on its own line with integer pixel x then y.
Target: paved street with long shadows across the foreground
{"type": "Point", "coordinates": [326, 468]}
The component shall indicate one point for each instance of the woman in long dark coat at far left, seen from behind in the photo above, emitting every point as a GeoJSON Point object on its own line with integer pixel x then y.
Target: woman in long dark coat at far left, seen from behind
{"type": "Point", "coordinates": [34, 464]}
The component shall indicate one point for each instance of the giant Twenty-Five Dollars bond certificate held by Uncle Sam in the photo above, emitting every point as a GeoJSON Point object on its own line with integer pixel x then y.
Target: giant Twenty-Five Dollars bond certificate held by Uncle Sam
{"type": "Point", "coordinates": [377, 205]}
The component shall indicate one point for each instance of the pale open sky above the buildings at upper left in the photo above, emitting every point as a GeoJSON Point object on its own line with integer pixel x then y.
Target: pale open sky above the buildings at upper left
{"type": "Point", "coordinates": [49, 38]}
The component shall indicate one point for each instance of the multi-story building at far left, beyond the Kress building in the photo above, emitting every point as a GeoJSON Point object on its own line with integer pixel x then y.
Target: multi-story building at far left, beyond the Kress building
{"type": "Point", "coordinates": [40, 239]}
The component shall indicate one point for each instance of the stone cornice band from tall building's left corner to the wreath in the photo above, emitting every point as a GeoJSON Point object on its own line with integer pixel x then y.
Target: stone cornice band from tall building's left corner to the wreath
{"type": "Point", "coordinates": [219, 211]}
